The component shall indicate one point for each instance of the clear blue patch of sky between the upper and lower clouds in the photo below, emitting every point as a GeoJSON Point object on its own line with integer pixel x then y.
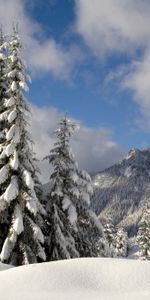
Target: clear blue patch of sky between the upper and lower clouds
{"type": "Point", "coordinates": [86, 97]}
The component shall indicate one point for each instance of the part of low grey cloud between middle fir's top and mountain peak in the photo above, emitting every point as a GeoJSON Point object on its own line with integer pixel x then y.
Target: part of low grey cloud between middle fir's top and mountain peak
{"type": "Point", "coordinates": [94, 149]}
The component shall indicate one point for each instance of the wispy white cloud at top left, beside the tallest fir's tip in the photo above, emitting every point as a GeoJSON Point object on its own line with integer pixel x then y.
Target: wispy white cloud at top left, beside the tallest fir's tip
{"type": "Point", "coordinates": [45, 55]}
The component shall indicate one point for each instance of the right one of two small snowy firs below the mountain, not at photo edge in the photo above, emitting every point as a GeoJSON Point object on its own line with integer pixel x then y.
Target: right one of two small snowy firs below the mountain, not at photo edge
{"type": "Point", "coordinates": [121, 243]}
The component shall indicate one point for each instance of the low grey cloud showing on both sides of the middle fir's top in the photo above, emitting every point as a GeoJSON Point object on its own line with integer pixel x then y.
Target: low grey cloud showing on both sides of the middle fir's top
{"type": "Point", "coordinates": [94, 149]}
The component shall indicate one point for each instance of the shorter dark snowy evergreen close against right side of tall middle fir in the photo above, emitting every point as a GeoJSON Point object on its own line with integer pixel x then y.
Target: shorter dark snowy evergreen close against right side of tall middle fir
{"type": "Point", "coordinates": [89, 236]}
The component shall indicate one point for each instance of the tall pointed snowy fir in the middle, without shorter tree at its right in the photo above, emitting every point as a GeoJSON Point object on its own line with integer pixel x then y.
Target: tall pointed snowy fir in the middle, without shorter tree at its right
{"type": "Point", "coordinates": [61, 244]}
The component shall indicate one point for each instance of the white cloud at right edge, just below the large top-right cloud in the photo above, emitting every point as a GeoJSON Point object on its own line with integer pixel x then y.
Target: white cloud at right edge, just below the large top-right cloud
{"type": "Point", "coordinates": [136, 78]}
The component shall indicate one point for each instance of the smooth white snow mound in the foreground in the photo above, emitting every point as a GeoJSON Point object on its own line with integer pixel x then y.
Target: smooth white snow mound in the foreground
{"type": "Point", "coordinates": [80, 279]}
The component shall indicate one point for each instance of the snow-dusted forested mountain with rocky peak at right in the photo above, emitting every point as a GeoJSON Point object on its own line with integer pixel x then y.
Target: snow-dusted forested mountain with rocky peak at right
{"type": "Point", "coordinates": [122, 191]}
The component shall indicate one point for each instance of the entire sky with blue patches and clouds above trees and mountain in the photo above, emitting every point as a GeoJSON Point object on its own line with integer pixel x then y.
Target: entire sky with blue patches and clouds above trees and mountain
{"type": "Point", "coordinates": [90, 59]}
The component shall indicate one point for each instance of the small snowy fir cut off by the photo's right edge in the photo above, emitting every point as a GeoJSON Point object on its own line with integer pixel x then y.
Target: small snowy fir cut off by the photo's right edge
{"type": "Point", "coordinates": [143, 235]}
